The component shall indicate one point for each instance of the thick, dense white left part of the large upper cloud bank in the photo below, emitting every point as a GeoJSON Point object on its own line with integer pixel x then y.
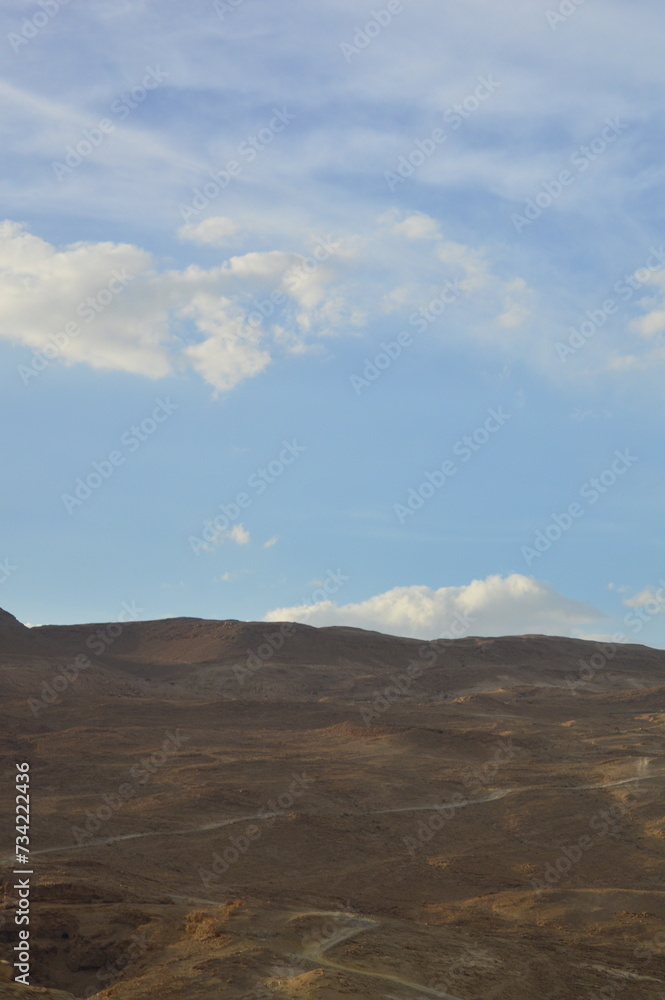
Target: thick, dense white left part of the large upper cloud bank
{"type": "Point", "coordinates": [107, 306]}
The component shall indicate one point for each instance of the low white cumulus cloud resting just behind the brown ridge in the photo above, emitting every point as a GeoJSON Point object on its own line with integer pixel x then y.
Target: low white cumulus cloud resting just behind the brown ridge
{"type": "Point", "coordinates": [511, 605]}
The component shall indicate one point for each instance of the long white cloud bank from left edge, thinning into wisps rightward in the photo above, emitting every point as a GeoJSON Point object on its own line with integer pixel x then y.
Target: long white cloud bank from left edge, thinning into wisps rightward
{"type": "Point", "coordinates": [108, 305]}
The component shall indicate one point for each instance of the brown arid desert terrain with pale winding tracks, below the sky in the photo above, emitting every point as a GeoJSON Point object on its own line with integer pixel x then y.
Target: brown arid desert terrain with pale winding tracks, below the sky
{"type": "Point", "coordinates": [251, 811]}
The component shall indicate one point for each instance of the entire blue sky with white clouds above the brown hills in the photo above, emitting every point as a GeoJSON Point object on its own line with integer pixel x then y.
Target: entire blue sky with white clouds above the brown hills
{"type": "Point", "coordinates": [338, 313]}
